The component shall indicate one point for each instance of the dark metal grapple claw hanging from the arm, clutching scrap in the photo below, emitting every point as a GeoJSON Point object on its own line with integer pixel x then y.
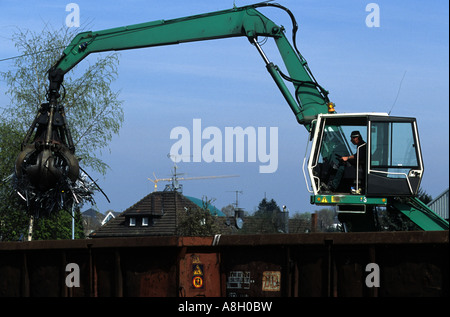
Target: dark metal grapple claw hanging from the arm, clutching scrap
{"type": "Point", "coordinates": [47, 170]}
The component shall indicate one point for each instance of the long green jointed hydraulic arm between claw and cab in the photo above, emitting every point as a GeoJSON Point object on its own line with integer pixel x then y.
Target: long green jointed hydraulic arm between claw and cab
{"type": "Point", "coordinates": [310, 98]}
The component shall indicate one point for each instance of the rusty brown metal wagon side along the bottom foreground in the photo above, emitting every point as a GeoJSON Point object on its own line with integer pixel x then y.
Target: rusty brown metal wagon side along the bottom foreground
{"type": "Point", "coordinates": [388, 264]}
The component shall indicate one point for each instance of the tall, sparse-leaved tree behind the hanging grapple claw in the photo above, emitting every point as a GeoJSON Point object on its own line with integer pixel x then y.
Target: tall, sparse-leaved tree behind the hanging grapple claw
{"type": "Point", "coordinates": [94, 111]}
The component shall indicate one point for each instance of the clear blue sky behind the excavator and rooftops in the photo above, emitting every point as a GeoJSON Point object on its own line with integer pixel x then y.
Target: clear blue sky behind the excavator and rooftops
{"type": "Point", "coordinates": [225, 84]}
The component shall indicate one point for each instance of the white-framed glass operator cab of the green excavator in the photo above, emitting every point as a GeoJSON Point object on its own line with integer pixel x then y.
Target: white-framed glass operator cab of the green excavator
{"type": "Point", "coordinates": [387, 163]}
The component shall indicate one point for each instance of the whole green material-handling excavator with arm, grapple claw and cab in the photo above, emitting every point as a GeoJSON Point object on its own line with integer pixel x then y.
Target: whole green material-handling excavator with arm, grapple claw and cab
{"type": "Point", "coordinates": [384, 171]}
